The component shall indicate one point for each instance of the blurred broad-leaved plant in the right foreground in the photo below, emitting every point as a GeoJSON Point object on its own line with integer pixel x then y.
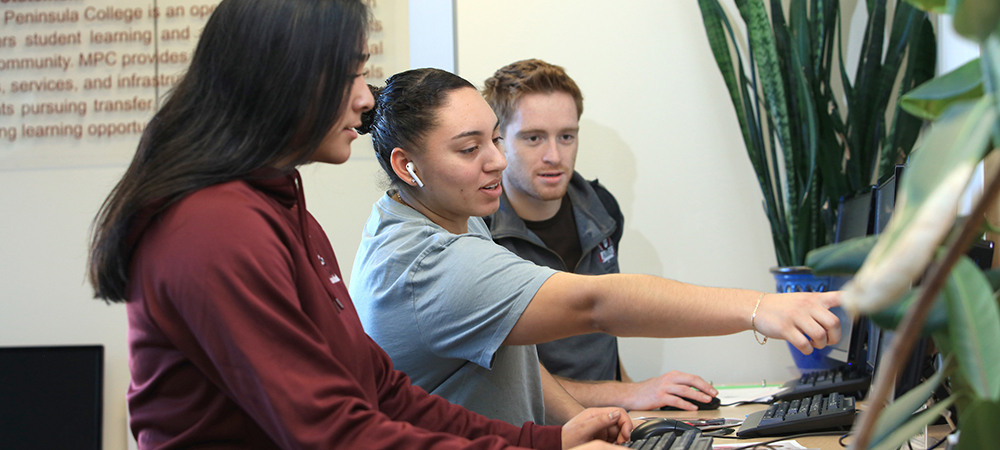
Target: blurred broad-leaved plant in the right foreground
{"type": "Point", "coordinates": [955, 302]}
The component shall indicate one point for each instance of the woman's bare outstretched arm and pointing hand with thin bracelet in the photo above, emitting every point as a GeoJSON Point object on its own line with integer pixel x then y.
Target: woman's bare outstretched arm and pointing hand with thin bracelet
{"type": "Point", "coordinates": [641, 305]}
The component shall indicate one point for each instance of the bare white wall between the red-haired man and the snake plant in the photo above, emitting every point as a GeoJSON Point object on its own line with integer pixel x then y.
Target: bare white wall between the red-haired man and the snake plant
{"type": "Point", "coordinates": [657, 129]}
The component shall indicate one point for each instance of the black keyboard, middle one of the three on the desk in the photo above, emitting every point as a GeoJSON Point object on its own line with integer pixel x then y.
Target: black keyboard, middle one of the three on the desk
{"type": "Point", "coordinates": [816, 413]}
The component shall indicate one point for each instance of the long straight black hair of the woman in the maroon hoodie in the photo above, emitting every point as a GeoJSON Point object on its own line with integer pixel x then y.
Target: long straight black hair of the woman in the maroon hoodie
{"type": "Point", "coordinates": [267, 81]}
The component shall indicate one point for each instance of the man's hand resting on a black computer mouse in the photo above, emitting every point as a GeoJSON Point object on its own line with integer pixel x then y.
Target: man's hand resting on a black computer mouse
{"type": "Point", "coordinates": [669, 389]}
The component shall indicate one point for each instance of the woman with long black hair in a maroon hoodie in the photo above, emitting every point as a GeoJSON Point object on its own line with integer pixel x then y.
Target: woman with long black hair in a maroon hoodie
{"type": "Point", "coordinates": [241, 331]}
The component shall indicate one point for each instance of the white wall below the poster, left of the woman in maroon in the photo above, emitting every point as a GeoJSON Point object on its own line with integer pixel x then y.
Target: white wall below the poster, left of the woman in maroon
{"type": "Point", "coordinates": [44, 299]}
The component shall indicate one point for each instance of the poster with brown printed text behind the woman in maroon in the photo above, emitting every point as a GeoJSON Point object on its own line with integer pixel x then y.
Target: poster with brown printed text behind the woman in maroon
{"type": "Point", "coordinates": [79, 79]}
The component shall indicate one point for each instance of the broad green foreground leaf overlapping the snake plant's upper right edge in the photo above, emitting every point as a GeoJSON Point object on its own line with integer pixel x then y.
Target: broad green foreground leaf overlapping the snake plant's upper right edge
{"type": "Point", "coordinates": [930, 99]}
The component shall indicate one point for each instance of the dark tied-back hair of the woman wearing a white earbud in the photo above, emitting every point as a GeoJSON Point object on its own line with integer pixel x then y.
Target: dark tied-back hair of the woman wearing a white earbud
{"type": "Point", "coordinates": [405, 111]}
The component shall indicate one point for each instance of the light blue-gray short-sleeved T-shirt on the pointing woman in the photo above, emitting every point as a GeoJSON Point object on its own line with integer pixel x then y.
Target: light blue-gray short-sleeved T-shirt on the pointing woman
{"type": "Point", "coordinates": [441, 305]}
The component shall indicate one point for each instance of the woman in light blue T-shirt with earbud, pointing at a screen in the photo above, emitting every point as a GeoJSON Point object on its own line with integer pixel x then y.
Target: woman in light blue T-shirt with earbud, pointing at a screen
{"type": "Point", "coordinates": [460, 314]}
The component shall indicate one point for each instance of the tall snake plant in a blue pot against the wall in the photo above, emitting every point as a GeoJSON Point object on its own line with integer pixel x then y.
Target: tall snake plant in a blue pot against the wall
{"type": "Point", "coordinates": [812, 133]}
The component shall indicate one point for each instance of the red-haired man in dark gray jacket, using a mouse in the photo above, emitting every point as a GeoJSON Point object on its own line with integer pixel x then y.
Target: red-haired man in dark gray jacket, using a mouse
{"type": "Point", "coordinates": [551, 215]}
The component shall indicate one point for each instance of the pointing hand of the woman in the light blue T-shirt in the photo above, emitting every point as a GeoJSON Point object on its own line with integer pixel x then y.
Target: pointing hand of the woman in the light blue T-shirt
{"type": "Point", "coordinates": [803, 319]}
